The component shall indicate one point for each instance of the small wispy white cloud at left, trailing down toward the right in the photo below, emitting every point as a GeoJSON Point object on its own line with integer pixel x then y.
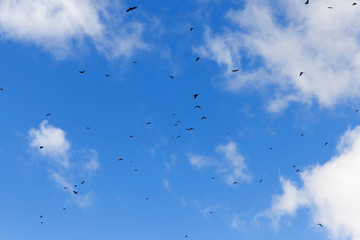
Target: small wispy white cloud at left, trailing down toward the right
{"type": "Point", "coordinates": [61, 169]}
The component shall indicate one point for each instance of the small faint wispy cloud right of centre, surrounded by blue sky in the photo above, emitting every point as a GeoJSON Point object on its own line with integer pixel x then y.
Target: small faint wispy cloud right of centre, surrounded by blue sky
{"type": "Point", "coordinates": [234, 166]}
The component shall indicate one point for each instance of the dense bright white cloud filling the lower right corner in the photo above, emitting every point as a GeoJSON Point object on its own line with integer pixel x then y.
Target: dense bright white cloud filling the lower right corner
{"type": "Point", "coordinates": [331, 191]}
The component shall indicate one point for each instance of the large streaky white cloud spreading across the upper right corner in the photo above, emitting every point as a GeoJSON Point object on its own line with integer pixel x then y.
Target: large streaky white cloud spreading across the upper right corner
{"type": "Point", "coordinates": [273, 42]}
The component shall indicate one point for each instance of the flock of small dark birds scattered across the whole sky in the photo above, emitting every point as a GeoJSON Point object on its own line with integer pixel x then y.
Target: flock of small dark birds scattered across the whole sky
{"type": "Point", "coordinates": [195, 96]}
